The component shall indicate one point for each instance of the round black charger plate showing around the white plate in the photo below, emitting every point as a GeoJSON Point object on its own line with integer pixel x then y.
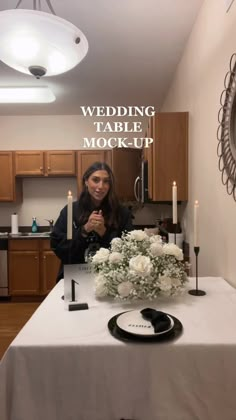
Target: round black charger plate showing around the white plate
{"type": "Point", "coordinates": [125, 336]}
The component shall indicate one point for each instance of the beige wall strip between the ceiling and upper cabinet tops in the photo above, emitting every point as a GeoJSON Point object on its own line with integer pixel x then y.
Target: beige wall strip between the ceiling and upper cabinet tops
{"type": "Point", "coordinates": [54, 131]}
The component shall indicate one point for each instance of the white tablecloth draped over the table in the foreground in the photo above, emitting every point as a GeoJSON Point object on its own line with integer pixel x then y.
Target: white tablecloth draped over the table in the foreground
{"type": "Point", "coordinates": [66, 365]}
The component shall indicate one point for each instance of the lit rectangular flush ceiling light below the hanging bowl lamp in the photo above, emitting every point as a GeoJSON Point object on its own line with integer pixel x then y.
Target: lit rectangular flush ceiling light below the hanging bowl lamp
{"type": "Point", "coordinates": [24, 95]}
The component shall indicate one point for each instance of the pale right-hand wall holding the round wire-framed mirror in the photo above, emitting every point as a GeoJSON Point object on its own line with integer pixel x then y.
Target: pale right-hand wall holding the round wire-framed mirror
{"type": "Point", "coordinates": [196, 88]}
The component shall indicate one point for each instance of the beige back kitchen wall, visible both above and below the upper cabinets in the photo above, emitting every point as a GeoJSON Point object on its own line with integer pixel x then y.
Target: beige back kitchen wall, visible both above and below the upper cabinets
{"type": "Point", "coordinates": [42, 197]}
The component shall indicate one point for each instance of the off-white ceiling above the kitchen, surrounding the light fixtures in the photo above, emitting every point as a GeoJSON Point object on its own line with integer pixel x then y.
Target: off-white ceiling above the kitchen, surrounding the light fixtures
{"type": "Point", "coordinates": [134, 48]}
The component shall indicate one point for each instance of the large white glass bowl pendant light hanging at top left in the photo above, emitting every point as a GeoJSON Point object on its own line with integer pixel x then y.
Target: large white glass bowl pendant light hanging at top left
{"type": "Point", "coordinates": [39, 43]}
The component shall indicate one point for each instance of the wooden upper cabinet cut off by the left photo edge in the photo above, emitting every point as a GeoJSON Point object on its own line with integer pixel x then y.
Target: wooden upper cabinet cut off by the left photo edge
{"type": "Point", "coordinates": [10, 188]}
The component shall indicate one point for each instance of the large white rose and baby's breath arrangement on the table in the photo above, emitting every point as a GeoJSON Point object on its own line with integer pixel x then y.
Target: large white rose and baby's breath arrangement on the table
{"type": "Point", "coordinates": [138, 266]}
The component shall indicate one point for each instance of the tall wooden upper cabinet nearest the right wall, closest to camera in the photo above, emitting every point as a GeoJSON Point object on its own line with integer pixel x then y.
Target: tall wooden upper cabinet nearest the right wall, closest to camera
{"type": "Point", "coordinates": [168, 156]}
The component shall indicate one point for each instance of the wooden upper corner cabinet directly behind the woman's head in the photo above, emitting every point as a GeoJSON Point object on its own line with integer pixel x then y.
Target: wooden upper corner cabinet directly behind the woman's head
{"type": "Point", "coordinates": [124, 162]}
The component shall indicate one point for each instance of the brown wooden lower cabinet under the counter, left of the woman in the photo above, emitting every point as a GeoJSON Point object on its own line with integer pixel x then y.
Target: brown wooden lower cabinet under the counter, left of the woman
{"type": "Point", "coordinates": [33, 267]}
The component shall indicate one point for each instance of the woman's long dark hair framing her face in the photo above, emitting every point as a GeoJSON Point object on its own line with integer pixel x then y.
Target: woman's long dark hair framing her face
{"type": "Point", "coordinates": [110, 203]}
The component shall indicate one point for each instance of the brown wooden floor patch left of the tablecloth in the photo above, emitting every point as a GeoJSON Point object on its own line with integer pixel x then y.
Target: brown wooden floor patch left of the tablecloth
{"type": "Point", "coordinates": [13, 317]}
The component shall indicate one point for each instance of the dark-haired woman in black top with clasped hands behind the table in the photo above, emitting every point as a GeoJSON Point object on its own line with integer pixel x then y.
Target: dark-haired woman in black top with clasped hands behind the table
{"type": "Point", "coordinates": [97, 218]}
